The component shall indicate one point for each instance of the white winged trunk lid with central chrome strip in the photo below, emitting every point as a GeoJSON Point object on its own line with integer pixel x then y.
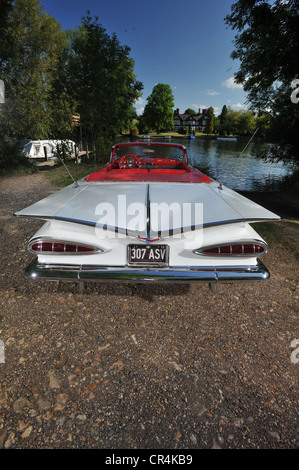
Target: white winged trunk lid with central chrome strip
{"type": "Point", "coordinates": [148, 208]}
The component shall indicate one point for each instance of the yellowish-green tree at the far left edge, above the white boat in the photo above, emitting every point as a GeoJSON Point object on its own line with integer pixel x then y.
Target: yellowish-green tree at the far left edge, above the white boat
{"type": "Point", "coordinates": [29, 68]}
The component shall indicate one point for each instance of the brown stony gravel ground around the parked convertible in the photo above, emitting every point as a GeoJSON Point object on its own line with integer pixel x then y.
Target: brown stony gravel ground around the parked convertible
{"type": "Point", "coordinates": [144, 366]}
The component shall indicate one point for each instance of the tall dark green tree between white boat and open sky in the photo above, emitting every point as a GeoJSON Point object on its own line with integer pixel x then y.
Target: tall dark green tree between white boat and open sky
{"type": "Point", "coordinates": [101, 80]}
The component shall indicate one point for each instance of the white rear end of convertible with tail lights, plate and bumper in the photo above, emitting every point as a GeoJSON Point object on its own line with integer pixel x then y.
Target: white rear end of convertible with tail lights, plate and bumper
{"type": "Point", "coordinates": [70, 251]}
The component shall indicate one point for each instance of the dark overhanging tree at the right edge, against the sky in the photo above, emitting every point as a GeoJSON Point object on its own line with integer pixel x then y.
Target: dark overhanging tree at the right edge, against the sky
{"type": "Point", "coordinates": [266, 44]}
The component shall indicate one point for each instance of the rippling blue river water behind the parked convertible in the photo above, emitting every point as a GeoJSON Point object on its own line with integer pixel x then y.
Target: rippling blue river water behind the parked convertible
{"type": "Point", "coordinates": [237, 167]}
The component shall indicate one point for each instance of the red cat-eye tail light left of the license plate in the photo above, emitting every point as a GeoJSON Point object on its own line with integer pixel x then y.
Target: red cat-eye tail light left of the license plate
{"type": "Point", "coordinates": [60, 247]}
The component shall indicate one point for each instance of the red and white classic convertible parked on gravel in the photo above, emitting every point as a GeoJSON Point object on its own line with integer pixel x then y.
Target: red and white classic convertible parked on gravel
{"type": "Point", "coordinates": [147, 216]}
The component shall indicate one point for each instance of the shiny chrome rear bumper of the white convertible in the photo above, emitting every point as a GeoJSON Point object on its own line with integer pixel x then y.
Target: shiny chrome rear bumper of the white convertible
{"type": "Point", "coordinates": [36, 270]}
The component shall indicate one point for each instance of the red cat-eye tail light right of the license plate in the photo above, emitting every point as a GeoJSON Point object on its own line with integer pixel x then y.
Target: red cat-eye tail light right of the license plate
{"type": "Point", "coordinates": [246, 248]}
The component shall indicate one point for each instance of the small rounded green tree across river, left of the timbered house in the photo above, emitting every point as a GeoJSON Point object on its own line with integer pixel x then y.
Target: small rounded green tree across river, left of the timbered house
{"type": "Point", "coordinates": [158, 112]}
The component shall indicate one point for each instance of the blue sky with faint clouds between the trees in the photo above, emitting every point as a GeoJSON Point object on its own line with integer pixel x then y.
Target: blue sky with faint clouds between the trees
{"type": "Point", "coordinates": [184, 44]}
